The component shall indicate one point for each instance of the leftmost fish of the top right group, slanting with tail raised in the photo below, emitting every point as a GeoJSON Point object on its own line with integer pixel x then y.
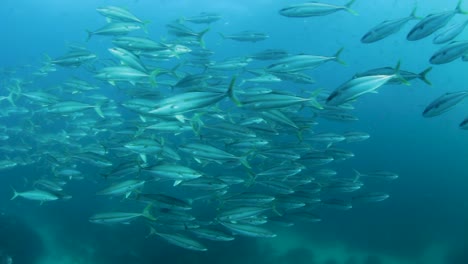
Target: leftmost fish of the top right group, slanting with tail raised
{"type": "Point", "coordinates": [387, 28]}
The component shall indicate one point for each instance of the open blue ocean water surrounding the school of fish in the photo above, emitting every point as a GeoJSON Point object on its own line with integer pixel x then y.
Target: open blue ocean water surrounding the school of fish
{"type": "Point", "coordinates": [424, 220]}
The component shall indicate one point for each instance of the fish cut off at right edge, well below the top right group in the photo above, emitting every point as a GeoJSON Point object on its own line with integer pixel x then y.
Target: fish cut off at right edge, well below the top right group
{"type": "Point", "coordinates": [444, 103]}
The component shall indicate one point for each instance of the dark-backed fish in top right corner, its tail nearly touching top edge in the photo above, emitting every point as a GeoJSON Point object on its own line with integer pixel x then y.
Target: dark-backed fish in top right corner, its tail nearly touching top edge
{"type": "Point", "coordinates": [433, 22]}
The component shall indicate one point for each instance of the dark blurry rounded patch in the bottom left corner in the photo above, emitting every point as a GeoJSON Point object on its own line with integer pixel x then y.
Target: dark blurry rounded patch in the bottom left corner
{"type": "Point", "coordinates": [19, 241]}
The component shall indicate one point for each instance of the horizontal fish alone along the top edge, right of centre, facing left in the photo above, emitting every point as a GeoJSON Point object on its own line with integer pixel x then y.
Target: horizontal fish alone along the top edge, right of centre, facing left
{"type": "Point", "coordinates": [314, 8]}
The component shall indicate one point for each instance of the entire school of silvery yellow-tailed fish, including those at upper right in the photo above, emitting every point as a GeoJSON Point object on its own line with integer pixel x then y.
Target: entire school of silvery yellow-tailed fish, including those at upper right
{"type": "Point", "coordinates": [204, 150]}
